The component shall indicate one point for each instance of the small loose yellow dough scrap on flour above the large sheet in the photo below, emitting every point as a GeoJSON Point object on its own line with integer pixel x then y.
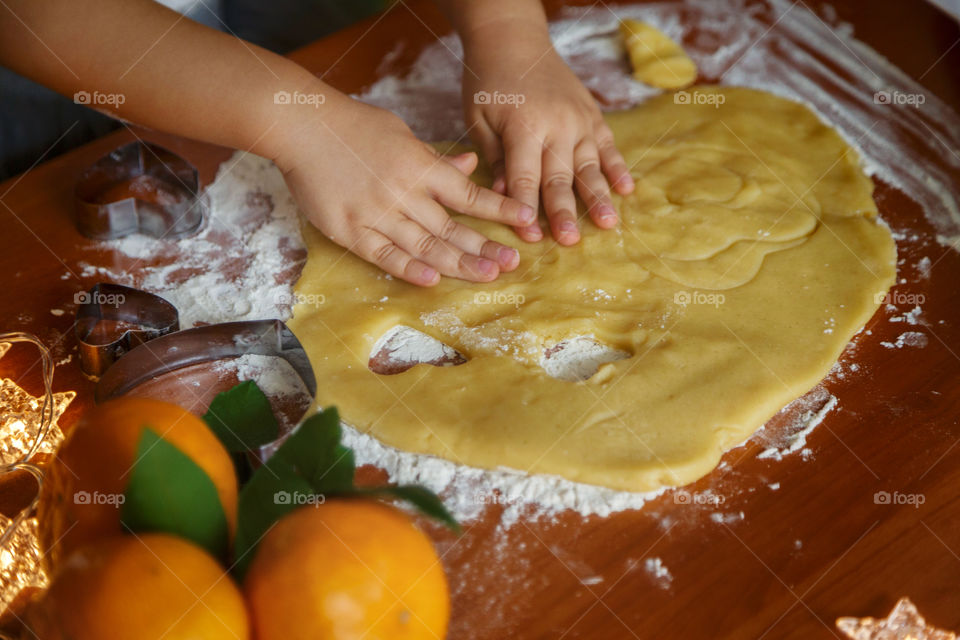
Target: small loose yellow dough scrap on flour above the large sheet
{"type": "Point", "coordinates": [656, 59]}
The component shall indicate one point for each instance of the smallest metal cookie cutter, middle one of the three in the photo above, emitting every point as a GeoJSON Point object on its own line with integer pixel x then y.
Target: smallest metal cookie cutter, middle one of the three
{"type": "Point", "coordinates": [113, 319]}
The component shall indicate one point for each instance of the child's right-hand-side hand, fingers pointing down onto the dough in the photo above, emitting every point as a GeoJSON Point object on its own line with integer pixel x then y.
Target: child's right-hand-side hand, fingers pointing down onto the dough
{"type": "Point", "coordinates": [540, 128]}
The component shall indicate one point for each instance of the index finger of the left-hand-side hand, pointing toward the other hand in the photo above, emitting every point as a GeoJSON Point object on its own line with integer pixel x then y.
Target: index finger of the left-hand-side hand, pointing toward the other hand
{"type": "Point", "coordinates": [453, 190]}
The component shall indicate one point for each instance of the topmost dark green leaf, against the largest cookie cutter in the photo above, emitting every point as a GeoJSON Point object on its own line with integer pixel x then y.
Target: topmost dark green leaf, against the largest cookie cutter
{"type": "Point", "coordinates": [242, 418]}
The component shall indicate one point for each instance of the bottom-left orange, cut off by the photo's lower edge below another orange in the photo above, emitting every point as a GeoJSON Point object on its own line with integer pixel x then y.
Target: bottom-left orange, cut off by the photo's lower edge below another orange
{"type": "Point", "coordinates": [149, 587]}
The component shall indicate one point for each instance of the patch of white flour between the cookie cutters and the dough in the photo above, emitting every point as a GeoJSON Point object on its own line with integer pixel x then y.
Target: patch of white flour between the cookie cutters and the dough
{"type": "Point", "coordinates": [234, 268]}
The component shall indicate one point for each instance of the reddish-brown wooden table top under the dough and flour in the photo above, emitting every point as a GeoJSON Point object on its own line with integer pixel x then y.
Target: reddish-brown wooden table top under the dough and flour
{"type": "Point", "coordinates": [817, 548]}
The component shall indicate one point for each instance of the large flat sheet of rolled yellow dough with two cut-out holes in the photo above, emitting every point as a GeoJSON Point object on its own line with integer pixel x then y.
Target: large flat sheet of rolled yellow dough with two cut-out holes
{"type": "Point", "coordinates": [703, 374]}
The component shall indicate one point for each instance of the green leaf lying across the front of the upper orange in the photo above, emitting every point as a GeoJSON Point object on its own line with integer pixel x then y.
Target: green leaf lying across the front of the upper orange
{"type": "Point", "coordinates": [168, 492]}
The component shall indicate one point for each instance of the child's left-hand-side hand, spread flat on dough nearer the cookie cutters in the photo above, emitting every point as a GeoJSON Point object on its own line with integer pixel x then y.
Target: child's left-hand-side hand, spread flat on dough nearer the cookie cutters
{"type": "Point", "coordinates": [360, 176]}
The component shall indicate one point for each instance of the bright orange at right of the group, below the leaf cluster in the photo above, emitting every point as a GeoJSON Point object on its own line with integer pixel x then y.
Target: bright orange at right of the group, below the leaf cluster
{"type": "Point", "coordinates": [347, 569]}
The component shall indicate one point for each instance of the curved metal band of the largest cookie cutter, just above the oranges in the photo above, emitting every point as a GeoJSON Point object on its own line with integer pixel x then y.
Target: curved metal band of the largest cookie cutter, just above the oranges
{"type": "Point", "coordinates": [181, 349]}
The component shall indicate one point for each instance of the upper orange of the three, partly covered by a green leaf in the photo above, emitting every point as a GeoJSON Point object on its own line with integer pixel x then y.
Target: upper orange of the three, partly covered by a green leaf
{"type": "Point", "coordinates": [79, 501]}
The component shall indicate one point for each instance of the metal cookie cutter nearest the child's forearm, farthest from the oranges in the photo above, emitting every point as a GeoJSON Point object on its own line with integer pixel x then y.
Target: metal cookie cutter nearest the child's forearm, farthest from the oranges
{"type": "Point", "coordinates": [139, 188]}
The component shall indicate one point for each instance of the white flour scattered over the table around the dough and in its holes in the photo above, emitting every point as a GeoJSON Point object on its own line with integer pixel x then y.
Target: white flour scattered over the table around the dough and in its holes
{"type": "Point", "coordinates": [733, 46]}
